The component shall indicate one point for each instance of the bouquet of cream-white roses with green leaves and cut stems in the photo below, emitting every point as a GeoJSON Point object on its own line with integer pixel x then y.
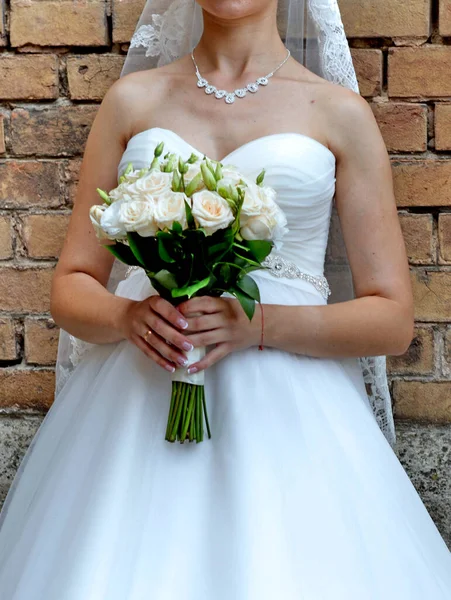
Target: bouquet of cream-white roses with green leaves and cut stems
{"type": "Point", "coordinates": [196, 227]}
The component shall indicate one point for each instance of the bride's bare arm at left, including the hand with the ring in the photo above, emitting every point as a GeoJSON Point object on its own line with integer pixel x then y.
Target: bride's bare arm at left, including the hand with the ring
{"type": "Point", "coordinates": [80, 302]}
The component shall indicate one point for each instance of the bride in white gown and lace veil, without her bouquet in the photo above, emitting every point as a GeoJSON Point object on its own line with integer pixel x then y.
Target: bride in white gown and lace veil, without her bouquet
{"type": "Point", "coordinates": [297, 495]}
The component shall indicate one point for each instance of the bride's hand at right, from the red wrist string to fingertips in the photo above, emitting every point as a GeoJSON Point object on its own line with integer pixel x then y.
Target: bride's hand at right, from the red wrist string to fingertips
{"type": "Point", "coordinates": [222, 322]}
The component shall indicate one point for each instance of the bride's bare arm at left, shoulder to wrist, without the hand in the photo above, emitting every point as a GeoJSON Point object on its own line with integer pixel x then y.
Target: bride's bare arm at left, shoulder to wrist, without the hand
{"type": "Point", "coordinates": [79, 301]}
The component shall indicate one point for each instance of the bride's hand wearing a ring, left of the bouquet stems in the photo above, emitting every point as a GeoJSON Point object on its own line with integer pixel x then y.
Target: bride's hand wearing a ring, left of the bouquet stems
{"type": "Point", "coordinates": [165, 322]}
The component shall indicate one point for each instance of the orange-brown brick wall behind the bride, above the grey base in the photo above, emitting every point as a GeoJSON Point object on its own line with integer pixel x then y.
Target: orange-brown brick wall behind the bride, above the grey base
{"type": "Point", "coordinates": [57, 59]}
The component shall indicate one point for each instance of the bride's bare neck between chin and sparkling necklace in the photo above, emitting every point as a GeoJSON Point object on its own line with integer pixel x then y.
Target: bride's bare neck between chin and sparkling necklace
{"type": "Point", "coordinates": [237, 47]}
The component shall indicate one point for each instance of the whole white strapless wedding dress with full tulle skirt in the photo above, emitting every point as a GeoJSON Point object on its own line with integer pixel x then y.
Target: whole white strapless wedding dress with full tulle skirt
{"type": "Point", "coordinates": [297, 495]}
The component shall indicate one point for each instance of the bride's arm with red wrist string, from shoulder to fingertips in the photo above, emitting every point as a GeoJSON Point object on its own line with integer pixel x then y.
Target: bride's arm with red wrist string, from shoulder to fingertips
{"type": "Point", "coordinates": [380, 320]}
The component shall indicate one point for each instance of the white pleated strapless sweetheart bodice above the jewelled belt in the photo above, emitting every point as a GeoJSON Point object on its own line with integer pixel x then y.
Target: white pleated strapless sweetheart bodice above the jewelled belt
{"type": "Point", "coordinates": [299, 168]}
